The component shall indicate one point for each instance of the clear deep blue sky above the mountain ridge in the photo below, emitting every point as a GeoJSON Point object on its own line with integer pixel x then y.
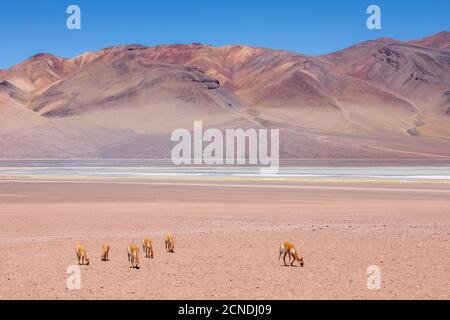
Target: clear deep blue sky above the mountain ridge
{"type": "Point", "coordinates": [310, 27]}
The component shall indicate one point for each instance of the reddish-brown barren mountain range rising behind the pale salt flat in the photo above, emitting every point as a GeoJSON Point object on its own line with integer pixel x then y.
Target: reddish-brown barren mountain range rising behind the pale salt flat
{"type": "Point", "coordinates": [380, 99]}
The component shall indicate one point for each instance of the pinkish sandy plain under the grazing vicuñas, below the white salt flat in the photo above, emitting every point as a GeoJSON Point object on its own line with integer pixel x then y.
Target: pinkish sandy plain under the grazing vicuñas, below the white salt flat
{"type": "Point", "coordinates": [228, 235]}
